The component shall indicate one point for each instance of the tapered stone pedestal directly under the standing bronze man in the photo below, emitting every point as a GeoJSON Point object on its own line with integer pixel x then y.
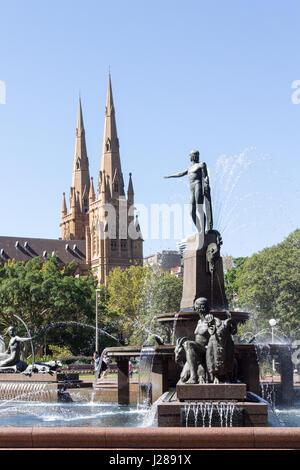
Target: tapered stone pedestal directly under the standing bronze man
{"type": "Point", "coordinates": [197, 278]}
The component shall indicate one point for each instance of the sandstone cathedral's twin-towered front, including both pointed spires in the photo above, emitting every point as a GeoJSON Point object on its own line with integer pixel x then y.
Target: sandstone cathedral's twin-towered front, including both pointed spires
{"type": "Point", "coordinates": [102, 215]}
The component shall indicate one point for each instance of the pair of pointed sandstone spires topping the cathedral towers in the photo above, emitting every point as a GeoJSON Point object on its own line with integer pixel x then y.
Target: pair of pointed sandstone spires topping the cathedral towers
{"type": "Point", "coordinates": [110, 181]}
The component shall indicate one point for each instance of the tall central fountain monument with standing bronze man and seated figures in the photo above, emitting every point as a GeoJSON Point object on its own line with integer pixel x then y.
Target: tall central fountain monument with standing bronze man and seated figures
{"type": "Point", "coordinates": [206, 374]}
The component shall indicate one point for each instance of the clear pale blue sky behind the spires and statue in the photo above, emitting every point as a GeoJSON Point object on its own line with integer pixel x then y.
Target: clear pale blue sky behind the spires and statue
{"type": "Point", "coordinates": [212, 75]}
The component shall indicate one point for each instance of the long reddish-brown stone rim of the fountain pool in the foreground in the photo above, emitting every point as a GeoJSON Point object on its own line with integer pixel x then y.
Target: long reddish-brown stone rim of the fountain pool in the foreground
{"type": "Point", "coordinates": [149, 438]}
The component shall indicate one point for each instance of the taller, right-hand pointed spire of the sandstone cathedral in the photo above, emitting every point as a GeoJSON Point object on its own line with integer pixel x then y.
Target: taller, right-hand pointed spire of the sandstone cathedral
{"type": "Point", "coordinates": [110, 162]}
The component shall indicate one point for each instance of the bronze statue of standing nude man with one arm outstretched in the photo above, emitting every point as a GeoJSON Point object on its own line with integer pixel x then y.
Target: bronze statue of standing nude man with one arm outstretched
{"type": "Point", "coordinates": [199, 190]}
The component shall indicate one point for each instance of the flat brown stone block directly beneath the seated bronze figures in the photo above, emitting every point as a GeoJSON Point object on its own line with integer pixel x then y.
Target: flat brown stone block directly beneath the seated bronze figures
{"type": "Point", "coordinates": [191, 392]}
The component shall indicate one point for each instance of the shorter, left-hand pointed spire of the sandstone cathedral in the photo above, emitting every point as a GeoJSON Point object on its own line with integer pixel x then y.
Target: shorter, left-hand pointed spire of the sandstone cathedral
{"type": "Point", "coordinates": [81, 175]}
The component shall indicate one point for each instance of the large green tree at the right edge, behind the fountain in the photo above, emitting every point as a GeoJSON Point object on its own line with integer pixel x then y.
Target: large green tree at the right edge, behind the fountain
{"type": "Point", "coordinates": [269, 284]}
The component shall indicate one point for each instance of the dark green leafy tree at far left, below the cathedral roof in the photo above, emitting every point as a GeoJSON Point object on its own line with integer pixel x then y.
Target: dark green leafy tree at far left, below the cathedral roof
{"type": "Point", "coordinates": [57, 305]}
